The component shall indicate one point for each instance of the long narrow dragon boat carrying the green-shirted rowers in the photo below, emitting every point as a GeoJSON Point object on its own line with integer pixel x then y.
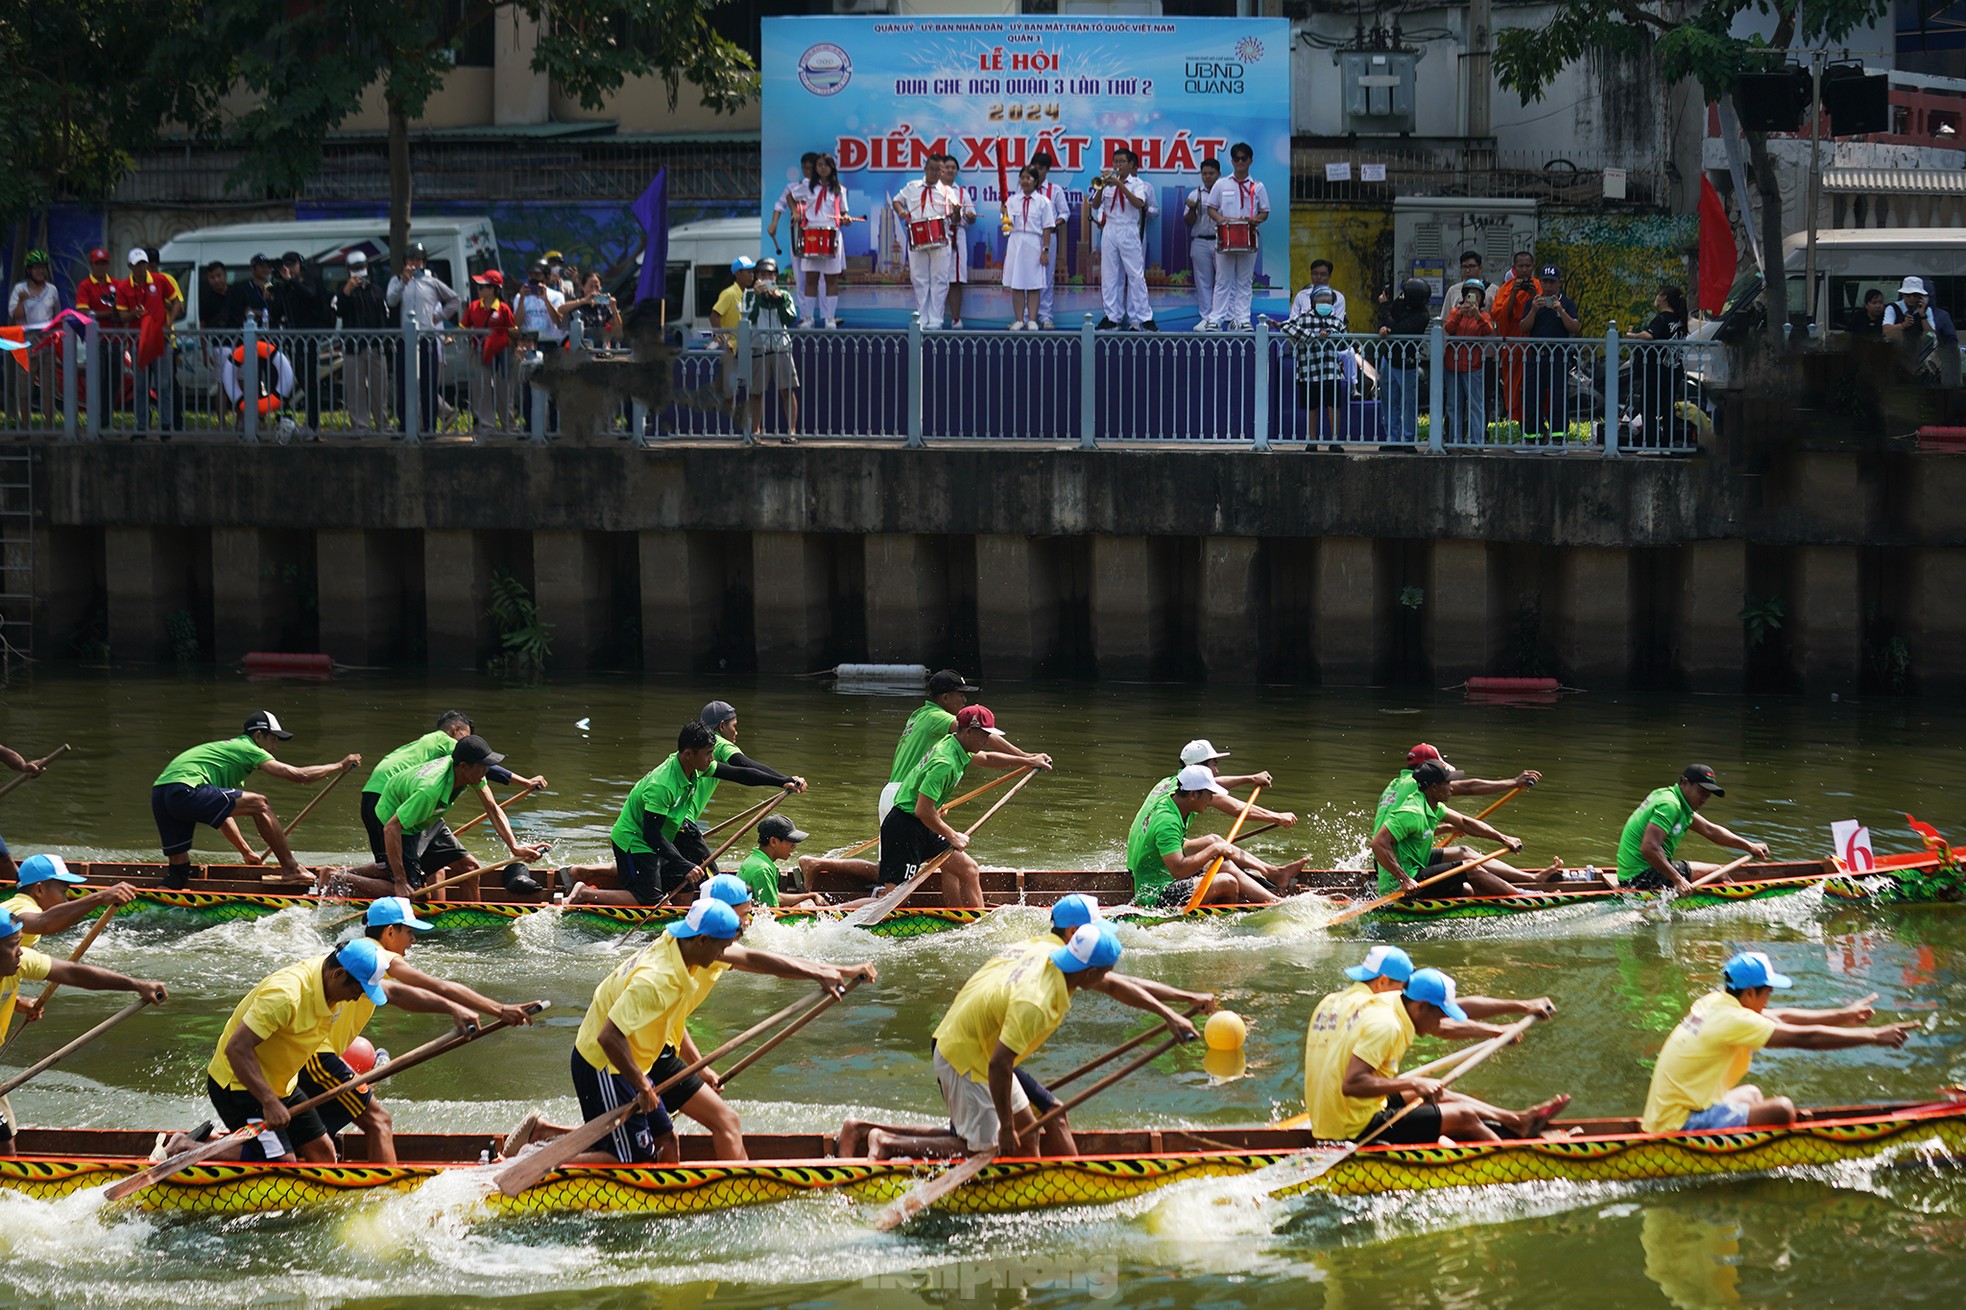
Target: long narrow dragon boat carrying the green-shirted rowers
{"type": "Point", "coordinates": [219, 894]}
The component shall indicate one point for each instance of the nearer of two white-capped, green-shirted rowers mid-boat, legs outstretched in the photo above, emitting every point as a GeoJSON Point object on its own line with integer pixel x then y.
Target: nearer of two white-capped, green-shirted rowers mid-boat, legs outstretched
{"type": "Point", "coordinates": [1167, 864]}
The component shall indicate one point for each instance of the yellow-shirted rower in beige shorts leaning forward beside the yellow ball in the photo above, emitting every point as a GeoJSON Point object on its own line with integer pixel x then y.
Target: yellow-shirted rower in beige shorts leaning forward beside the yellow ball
{"type": "Point", "coordinates": [1002, 1016]}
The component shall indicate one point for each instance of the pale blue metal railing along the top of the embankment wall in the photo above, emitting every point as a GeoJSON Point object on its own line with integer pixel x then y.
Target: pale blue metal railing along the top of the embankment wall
{"type": "Point", "coordinates": [1261, 387]}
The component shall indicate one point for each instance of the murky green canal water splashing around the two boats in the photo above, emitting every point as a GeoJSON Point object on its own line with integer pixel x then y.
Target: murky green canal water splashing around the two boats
{"type": "Point", "coordinates": [1621, 979]}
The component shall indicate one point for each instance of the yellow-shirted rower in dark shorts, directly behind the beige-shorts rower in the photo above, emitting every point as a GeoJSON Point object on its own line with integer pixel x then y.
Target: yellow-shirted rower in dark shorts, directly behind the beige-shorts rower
{"type": "Point", "coordinates": [636, 1036]}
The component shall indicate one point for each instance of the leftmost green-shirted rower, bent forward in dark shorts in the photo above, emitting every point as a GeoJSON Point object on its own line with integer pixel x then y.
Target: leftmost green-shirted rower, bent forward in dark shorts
{"type": "Point", "coordinates": [203, 788]}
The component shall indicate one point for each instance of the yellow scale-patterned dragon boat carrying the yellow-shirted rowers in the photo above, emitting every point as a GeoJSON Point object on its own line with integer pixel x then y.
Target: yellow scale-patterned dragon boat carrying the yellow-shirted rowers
{"type": "Point", "coordinates": [1116, 1165]}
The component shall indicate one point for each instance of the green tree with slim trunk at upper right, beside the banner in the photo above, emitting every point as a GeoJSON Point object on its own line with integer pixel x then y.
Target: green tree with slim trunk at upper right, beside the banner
{"type": "Point", "coordinates": [1692, 40]}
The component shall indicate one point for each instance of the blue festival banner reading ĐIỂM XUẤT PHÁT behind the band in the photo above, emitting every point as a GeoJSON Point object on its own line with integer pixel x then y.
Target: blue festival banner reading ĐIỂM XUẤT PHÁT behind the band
{"type": "Point", "coordinates": [884, 93]}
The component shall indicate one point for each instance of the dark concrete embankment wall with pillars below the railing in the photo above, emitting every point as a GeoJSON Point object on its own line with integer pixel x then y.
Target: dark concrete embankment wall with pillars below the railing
{"type": "Point", "coordinates": [1116, 564]}
